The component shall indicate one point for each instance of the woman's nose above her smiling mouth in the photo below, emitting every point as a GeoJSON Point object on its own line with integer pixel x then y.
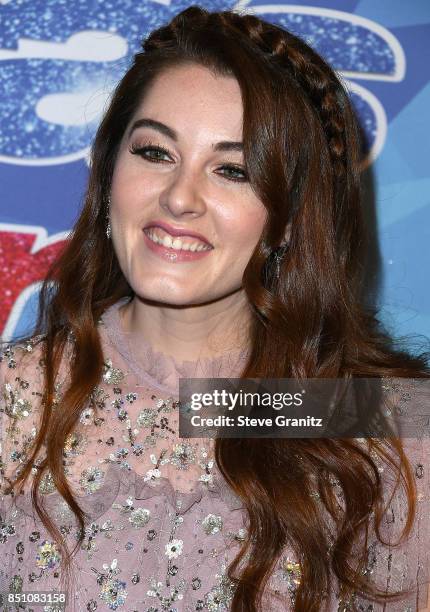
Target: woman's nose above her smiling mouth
{"type": "Point", "coordinates": [183, 194]}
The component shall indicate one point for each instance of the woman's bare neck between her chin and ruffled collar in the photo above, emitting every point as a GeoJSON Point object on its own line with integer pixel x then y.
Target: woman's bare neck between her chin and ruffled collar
{"type": "Point", "coordinates": [186, 333]}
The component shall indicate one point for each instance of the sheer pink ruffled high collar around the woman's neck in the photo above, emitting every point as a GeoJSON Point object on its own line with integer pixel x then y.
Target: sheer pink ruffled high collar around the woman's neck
{"type": "Point", "coordinates": [156, 368]}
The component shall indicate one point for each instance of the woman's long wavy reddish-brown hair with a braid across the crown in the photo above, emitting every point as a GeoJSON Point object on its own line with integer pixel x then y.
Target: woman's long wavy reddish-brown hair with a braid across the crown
{"type": "Point", "coordinates": [302, 154]}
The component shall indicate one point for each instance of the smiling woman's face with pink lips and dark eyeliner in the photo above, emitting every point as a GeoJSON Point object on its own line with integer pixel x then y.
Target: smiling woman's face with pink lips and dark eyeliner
{"type": "Point", "coordinates": [184, 217]}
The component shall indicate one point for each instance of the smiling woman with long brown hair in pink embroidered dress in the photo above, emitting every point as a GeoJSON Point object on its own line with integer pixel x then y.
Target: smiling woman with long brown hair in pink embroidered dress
{"type": "Point", "coordinates": [221, 235]}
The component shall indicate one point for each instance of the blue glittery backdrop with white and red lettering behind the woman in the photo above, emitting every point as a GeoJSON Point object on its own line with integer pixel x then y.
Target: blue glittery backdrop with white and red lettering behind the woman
{"type": "Point", "coordinates": [59, 61]}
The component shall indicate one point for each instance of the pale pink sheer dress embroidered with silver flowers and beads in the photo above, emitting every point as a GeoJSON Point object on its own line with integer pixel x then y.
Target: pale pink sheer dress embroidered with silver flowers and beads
{"type": "Point", "coordinates": [162, 523]}
